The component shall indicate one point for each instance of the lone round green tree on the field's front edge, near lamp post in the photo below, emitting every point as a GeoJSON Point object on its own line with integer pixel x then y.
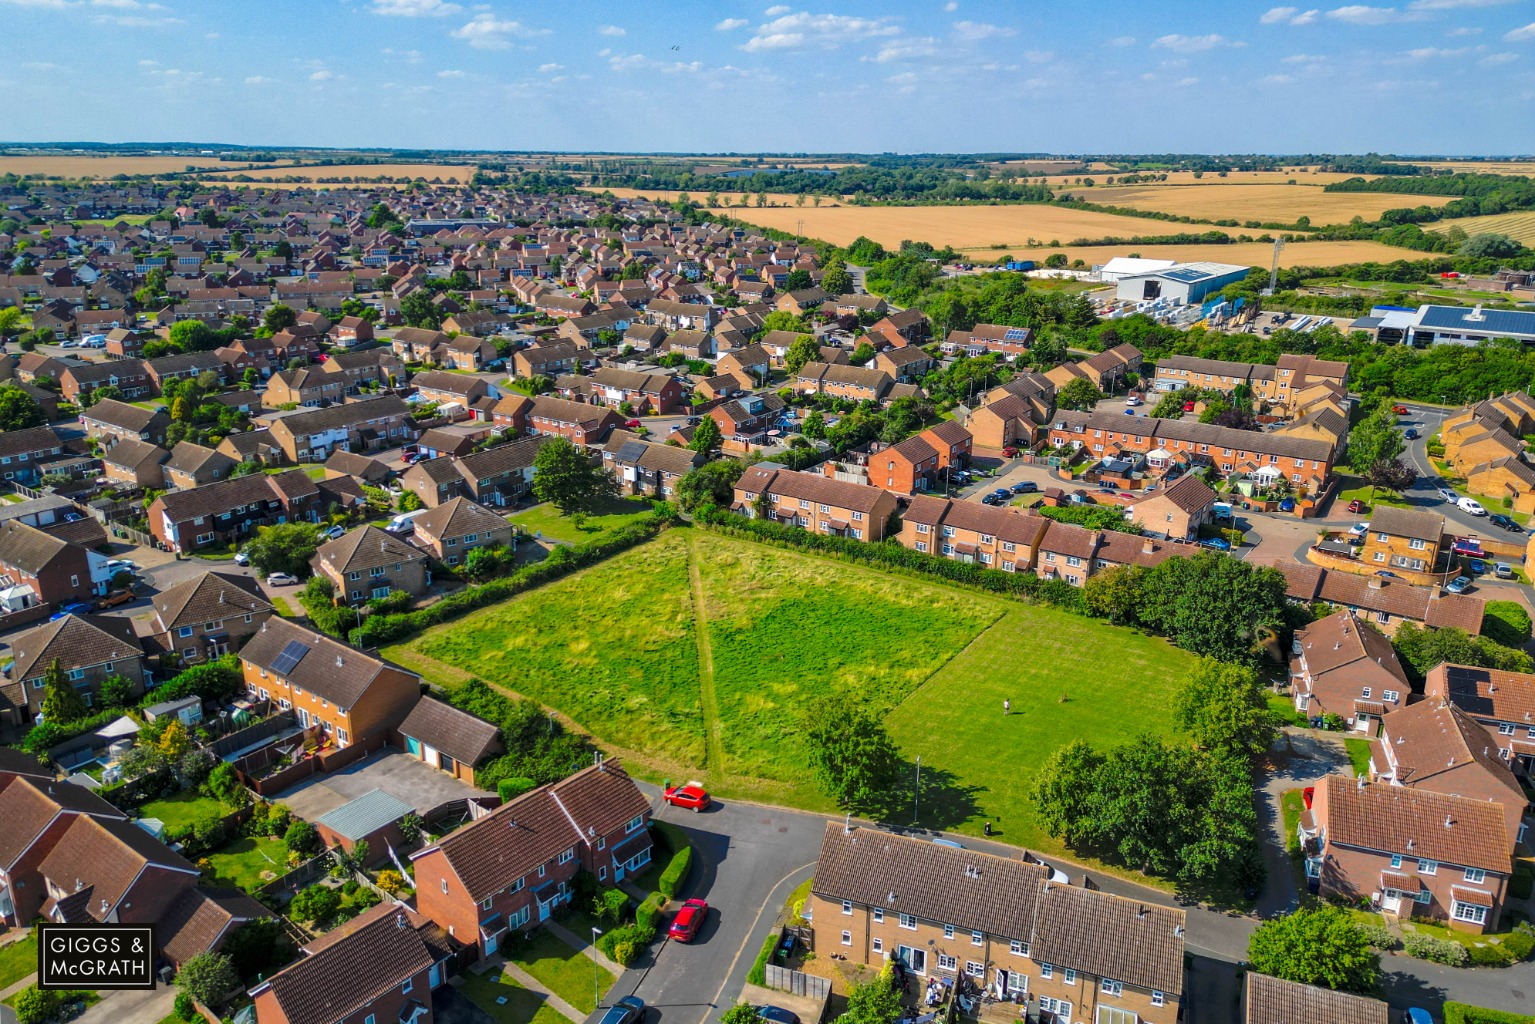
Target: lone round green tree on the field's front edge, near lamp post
{"type": "Point", "coordinates": [851, 753]}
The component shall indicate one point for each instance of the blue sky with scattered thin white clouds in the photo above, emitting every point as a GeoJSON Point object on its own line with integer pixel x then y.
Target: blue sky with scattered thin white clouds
{"type": "Point", "coordinates": [1419, 78]}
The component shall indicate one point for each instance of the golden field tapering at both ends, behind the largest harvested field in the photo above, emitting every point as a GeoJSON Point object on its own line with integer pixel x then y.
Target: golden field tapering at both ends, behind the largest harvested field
{"type": "Point", "coordinates": [1269, 203]}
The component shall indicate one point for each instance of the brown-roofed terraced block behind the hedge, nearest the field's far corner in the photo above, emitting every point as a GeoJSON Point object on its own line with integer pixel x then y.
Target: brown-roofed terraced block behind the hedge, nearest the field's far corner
{"type": "Point", "coordinates": [814, 503]}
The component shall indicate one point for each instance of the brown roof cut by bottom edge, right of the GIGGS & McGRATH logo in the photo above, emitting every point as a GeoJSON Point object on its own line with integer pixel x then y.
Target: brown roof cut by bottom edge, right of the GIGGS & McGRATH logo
{"type": "Point", "coordinates": [374, 956]}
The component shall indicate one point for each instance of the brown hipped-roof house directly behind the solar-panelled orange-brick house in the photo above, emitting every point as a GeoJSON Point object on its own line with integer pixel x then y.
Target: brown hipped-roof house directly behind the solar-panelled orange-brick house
{"type": "Point", "coordinates": [210, 615]}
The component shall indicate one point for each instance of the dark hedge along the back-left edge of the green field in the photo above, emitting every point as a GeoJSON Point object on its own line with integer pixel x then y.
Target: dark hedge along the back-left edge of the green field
{"type": "Point", "coordinates": [563, 561]}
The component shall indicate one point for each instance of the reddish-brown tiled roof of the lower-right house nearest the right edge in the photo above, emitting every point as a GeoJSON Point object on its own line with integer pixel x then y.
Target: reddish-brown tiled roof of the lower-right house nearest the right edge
{"type": "Point", "coordinates": [1416, 822]}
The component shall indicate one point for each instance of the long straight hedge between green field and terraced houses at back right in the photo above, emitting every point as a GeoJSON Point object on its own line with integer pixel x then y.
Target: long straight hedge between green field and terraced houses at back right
{"type": "Point", "coordinates": [893, 557]}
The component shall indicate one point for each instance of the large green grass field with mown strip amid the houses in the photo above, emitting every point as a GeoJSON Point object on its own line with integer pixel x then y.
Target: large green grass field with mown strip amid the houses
{"type": "Point", "coordinates": [721, 696]}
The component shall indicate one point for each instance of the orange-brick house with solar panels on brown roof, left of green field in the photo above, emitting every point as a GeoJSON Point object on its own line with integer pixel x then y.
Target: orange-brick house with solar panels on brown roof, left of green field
{"type": "Point", "coordinates": [346, 695]}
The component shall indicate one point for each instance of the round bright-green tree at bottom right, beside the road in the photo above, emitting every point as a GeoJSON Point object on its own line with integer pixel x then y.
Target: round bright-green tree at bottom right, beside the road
{"type": "Point", "coordinates": [1319, 946]}
